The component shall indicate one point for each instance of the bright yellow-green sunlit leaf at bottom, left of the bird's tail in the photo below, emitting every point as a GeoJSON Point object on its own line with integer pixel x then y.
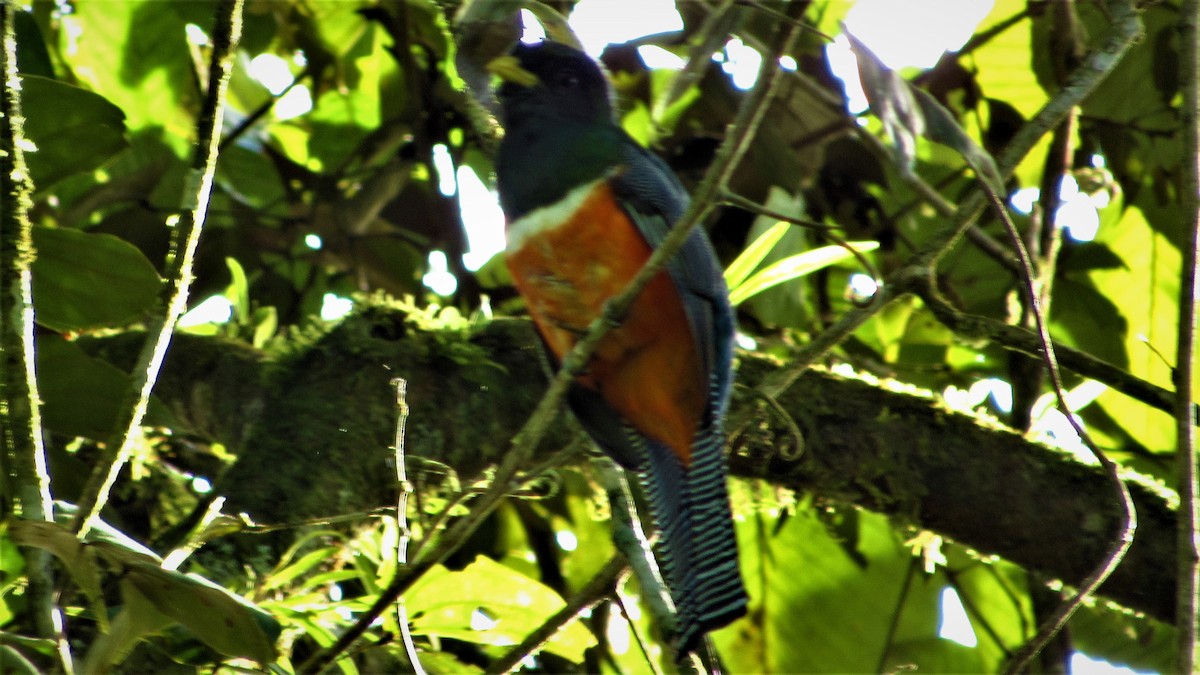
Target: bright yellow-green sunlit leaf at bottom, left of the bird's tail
{"type": "Point", "coordinates": [443, 604]}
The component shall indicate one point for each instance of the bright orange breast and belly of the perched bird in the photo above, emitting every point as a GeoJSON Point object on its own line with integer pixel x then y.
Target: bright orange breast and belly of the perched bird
{"type": "Point", "coordinates": [649, 368]}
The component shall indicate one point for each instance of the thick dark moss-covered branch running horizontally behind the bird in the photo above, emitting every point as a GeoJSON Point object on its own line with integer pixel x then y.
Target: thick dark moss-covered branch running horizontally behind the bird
{"type": "Point", "coordinates": [901, 453]}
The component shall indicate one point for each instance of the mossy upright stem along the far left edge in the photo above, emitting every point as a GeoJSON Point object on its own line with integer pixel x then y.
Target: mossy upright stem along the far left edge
{"type": "Point", "coordinates": [27, 481]}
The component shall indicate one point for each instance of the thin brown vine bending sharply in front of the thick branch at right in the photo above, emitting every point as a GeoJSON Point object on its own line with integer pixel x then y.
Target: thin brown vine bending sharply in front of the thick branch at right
{"type": "Point", "coordinates": [1125, 534]}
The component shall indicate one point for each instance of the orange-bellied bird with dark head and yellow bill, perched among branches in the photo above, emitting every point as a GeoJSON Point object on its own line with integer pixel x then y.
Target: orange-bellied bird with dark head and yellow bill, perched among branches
{"type": "Point", "coordinates": [585, 208]}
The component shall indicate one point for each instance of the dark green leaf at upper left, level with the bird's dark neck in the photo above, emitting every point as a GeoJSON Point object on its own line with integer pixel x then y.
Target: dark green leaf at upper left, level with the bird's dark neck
{"type": "Point", "coordinates": [75, 130]}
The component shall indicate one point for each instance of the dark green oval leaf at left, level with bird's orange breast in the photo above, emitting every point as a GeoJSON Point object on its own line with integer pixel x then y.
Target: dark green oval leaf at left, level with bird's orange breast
{"type": "Point", "coordinates": [85, 282]}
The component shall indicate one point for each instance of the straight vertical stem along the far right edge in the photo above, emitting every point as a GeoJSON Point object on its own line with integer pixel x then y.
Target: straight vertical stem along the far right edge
{"type": "Point", "coordinates": [1186, 612]}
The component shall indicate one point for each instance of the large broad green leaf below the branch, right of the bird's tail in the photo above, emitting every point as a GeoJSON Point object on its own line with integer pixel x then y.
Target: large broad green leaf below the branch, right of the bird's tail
{"type": "Point", "coordinates": [843, 608]}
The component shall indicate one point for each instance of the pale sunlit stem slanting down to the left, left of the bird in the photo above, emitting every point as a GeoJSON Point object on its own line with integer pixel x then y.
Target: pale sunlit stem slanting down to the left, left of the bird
{"type": "Point", "coordinates": [173, 300]}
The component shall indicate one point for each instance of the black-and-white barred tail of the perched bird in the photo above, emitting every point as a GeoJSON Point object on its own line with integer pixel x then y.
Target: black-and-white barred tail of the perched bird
{"type": "Point", "coordinates": [697, 549]}
